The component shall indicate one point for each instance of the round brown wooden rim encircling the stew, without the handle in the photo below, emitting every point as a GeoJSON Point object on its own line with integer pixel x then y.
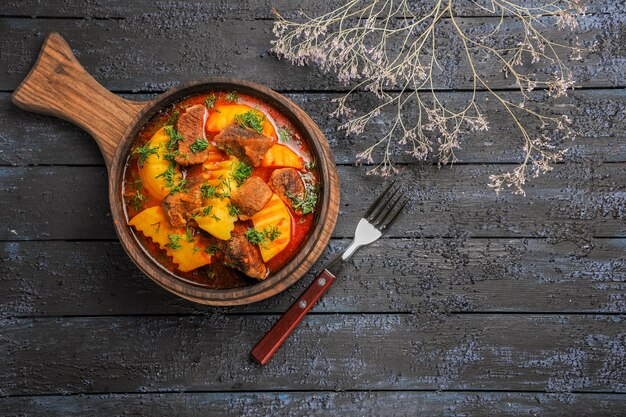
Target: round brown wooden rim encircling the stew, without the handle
{"type": "Point", "coordinates": [300, 263]}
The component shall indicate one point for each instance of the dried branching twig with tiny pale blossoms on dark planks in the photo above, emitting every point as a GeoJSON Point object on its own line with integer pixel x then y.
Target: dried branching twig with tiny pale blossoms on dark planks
{"type": "Point", "coordinates": [365, 44]}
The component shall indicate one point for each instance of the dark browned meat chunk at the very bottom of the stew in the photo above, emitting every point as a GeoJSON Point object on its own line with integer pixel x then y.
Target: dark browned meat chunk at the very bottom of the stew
{"type": "Point", "coordinates": [242, 255]}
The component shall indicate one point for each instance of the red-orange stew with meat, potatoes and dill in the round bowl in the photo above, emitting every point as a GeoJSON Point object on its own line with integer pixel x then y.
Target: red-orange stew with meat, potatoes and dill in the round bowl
{"type": "Point", "coordinates": [220, 189]}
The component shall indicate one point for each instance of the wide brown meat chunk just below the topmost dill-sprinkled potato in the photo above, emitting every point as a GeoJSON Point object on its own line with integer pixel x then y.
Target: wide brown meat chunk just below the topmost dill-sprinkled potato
{"type": "Point", "coordinates": [247, 145]}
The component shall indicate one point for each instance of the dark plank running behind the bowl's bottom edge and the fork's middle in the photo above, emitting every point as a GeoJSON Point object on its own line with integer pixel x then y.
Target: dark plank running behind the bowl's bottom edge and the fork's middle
{"type": "Point", "coordinates": [426, 276]}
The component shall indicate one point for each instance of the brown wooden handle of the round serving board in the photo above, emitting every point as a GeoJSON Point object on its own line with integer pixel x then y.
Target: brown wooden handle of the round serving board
{"type": "Point", "coordinates": [58, 85]}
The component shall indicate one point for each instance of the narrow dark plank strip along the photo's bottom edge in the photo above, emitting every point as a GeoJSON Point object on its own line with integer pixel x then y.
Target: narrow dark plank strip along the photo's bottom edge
{"type": "Point", "coordinates": [297, 404]}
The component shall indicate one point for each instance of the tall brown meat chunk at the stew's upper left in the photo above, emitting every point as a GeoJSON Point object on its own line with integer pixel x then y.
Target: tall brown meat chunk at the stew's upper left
{"type": "Point", "coordinates": [191, 126]}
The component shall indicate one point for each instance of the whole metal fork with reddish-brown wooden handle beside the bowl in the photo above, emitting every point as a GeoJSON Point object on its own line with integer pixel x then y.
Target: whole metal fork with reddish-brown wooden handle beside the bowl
{"type": "Point", "coordinates": [381, 214]}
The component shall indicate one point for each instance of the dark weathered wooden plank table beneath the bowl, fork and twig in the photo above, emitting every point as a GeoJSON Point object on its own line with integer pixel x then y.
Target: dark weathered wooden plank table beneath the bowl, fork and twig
{"type": "Point", "coordinates": [475, 304]}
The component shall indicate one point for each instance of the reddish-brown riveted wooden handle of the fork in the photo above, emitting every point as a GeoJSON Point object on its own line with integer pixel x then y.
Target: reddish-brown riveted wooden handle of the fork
{"type": "Point", "coordinates": [270, 343]}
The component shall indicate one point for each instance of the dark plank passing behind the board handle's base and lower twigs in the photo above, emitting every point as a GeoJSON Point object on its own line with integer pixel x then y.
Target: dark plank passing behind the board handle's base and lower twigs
{"type": "Point", "coordinates": [597, 115]}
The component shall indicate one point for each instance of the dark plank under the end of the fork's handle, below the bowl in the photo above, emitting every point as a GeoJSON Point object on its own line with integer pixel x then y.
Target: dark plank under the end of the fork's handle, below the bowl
{"type": "Point", "coordinates": [559, 354]}
